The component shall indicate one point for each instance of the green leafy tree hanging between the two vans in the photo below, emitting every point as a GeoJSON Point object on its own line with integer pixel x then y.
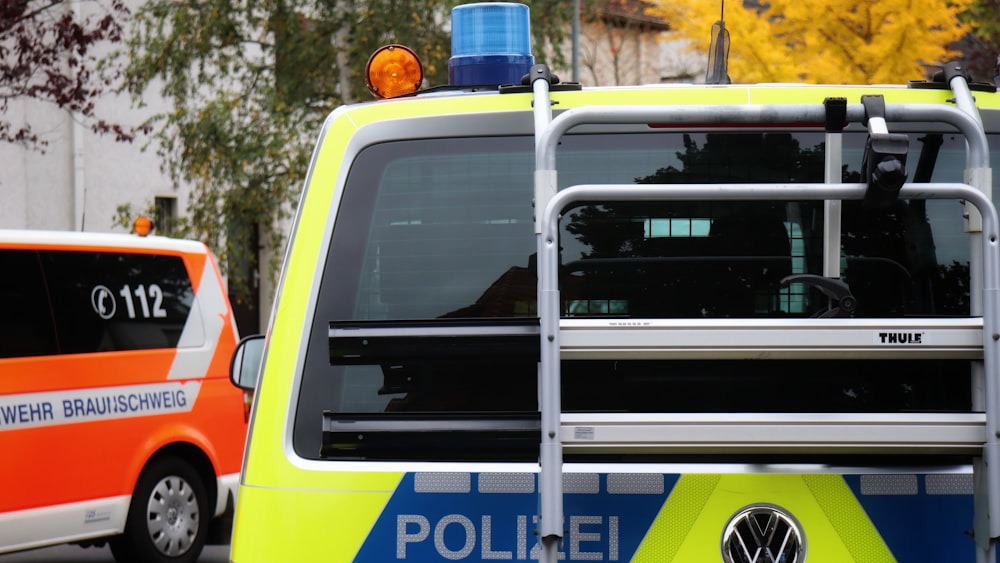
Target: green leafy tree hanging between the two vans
{"type": "Point", "coordinates": [251, 82]}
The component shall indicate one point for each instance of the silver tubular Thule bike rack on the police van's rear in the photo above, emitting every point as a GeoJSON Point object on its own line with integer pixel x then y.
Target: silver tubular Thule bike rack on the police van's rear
{"type": "Point", "coordinates": [974, 433]}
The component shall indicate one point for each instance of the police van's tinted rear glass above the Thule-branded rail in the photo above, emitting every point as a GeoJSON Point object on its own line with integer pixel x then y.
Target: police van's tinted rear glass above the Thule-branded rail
{"type": "Point", "coordinates": [447, 231]}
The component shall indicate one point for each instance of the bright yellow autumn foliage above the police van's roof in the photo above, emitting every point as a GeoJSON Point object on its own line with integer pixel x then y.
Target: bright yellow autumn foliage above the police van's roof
{"type": "Point", "coordinates": [824, 41]}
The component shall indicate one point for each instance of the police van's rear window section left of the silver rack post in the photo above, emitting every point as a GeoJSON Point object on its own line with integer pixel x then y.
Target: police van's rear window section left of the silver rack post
{"type": "Point", "coordinates": [425, 230]}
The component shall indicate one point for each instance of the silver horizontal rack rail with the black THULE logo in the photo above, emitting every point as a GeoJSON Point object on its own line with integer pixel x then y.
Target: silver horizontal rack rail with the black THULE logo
{"type": "Point", "coordinates": [839, 338]}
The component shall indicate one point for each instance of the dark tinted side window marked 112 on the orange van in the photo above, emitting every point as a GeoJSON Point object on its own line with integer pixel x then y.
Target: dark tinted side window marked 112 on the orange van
{"type": "Point", "coordinates": [66, 302]}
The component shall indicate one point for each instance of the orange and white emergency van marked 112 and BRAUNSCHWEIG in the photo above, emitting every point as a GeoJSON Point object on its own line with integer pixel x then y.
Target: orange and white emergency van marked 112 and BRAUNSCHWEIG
{"type": "Point", "coordinates": [117, 419]}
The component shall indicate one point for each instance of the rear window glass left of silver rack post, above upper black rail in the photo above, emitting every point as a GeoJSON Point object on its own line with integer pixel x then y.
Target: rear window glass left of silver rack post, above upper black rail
{"type": "Point", "coordinates": [447, 235]}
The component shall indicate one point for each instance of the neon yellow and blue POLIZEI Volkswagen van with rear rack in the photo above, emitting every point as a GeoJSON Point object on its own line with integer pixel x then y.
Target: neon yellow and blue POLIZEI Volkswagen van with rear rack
{"type": "Point", "coordinates": [527, 320]}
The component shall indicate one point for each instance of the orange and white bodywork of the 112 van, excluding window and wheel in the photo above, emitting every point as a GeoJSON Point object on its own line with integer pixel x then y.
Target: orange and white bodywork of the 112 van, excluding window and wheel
{"type": "Point", "coordinates": [78, 427]}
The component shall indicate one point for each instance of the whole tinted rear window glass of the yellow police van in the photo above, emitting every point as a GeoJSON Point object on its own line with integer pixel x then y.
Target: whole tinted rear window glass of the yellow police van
{"type": "Point", "coordinates": [438, 229]}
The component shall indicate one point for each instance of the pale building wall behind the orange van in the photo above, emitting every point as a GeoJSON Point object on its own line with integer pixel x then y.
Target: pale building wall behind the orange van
{"type": "Point", "coordinates": [78, 178]}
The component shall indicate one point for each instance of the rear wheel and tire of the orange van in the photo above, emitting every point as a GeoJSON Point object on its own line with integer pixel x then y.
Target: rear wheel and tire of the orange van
{"type": "Point", "coordinates": [168, 516]}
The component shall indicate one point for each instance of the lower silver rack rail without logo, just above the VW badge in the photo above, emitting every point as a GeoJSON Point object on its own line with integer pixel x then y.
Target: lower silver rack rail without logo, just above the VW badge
{"type": "Point", "coordinates": [765, 433]}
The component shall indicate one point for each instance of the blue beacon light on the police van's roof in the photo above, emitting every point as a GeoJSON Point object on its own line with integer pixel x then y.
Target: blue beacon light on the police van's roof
{"type": "Point", "coordinates": [490, 44]}
